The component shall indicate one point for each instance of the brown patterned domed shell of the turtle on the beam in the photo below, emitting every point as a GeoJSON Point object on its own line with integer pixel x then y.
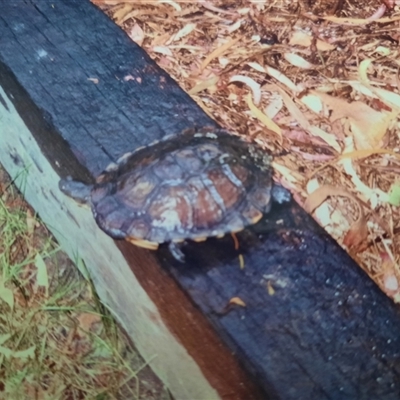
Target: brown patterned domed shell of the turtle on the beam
{"type": "Point", "coordinates": [189, 186]}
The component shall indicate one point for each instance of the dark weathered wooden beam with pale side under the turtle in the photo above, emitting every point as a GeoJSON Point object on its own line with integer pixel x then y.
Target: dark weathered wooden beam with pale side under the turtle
{"type": "Point", "coordinates": [75, 94]}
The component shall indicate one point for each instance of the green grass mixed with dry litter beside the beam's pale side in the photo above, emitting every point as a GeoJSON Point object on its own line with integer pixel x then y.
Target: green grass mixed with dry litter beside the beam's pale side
{"type": "Point", "coordinates": [57, 341]}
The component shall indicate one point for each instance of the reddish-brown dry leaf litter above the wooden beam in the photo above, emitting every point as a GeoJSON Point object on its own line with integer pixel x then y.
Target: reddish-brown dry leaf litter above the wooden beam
{"type": "Point", "coordinates": [317, 81]}
